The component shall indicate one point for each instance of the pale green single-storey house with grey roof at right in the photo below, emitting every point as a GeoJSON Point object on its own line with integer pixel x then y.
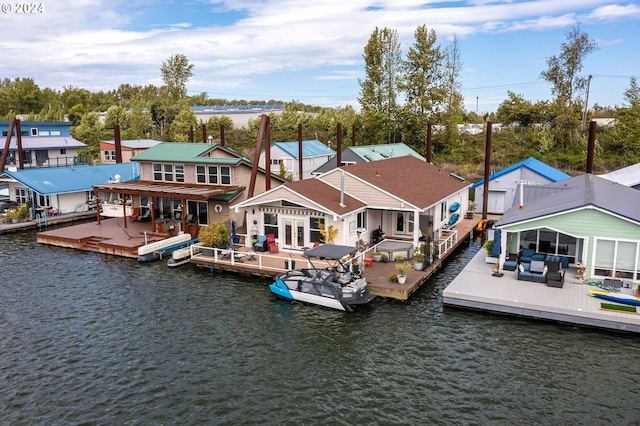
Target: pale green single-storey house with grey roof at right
{"type": "Point", "coordinates": [585, 219]}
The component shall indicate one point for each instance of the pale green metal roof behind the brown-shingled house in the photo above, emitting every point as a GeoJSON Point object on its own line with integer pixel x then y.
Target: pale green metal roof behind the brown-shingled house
{"type": "Point", "coordinates": [367, 153]}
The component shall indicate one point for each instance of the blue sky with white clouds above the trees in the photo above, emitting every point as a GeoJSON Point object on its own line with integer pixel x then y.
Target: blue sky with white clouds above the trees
{"type": "Point", "coordinates": [312, 52]}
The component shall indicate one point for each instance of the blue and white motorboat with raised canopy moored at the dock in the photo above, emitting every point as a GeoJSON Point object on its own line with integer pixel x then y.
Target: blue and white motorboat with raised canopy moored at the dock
{"type": "Point", "coordinates": [335, 286]}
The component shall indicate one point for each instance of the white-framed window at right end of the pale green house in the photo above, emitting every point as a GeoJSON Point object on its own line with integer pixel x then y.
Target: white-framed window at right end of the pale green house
{"type": "Point", "coordinates": [617, 259]}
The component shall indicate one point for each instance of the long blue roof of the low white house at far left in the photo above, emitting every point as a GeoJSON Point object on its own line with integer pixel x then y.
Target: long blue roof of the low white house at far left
{"type": "Point", "coordinates": [61, 180]}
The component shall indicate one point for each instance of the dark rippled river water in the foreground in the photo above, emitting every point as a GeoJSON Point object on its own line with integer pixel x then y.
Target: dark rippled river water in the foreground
{"type": "Point", "coordinates": [95, 339]}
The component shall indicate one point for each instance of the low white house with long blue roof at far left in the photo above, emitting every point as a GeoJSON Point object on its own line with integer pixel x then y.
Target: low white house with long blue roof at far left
{"type": "Point", "coordinates": [63, 189]}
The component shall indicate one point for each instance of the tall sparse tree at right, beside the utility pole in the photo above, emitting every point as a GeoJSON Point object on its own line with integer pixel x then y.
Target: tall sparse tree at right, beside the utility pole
{"type": "Point", "coordinates": [563, 73]}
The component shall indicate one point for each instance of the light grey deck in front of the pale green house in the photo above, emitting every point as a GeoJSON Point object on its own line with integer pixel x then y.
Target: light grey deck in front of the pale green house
{"type": "Point", "coordinates": [476, 288]}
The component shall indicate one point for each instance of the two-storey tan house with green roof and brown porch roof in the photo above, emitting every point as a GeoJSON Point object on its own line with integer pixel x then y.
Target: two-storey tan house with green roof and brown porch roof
{"type": "Point", "coordinates": [188, 184]}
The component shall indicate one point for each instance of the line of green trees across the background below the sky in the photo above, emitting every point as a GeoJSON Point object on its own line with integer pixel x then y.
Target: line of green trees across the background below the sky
{"type": "Point", "coordinates": [399, 97]}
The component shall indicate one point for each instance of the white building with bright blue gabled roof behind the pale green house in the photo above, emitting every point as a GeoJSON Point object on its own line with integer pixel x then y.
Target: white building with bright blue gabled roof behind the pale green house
{"type": "Point", "coordinates": [504, 184]}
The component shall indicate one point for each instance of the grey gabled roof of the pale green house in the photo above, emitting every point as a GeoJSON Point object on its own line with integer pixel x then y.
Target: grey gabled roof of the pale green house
{"type": "Point", "coordinates": [574, 193]}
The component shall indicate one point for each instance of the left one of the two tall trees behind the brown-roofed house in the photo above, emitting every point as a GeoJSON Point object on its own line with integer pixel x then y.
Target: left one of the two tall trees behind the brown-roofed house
{"type": "Point", "coordinates": [379, 90]}
